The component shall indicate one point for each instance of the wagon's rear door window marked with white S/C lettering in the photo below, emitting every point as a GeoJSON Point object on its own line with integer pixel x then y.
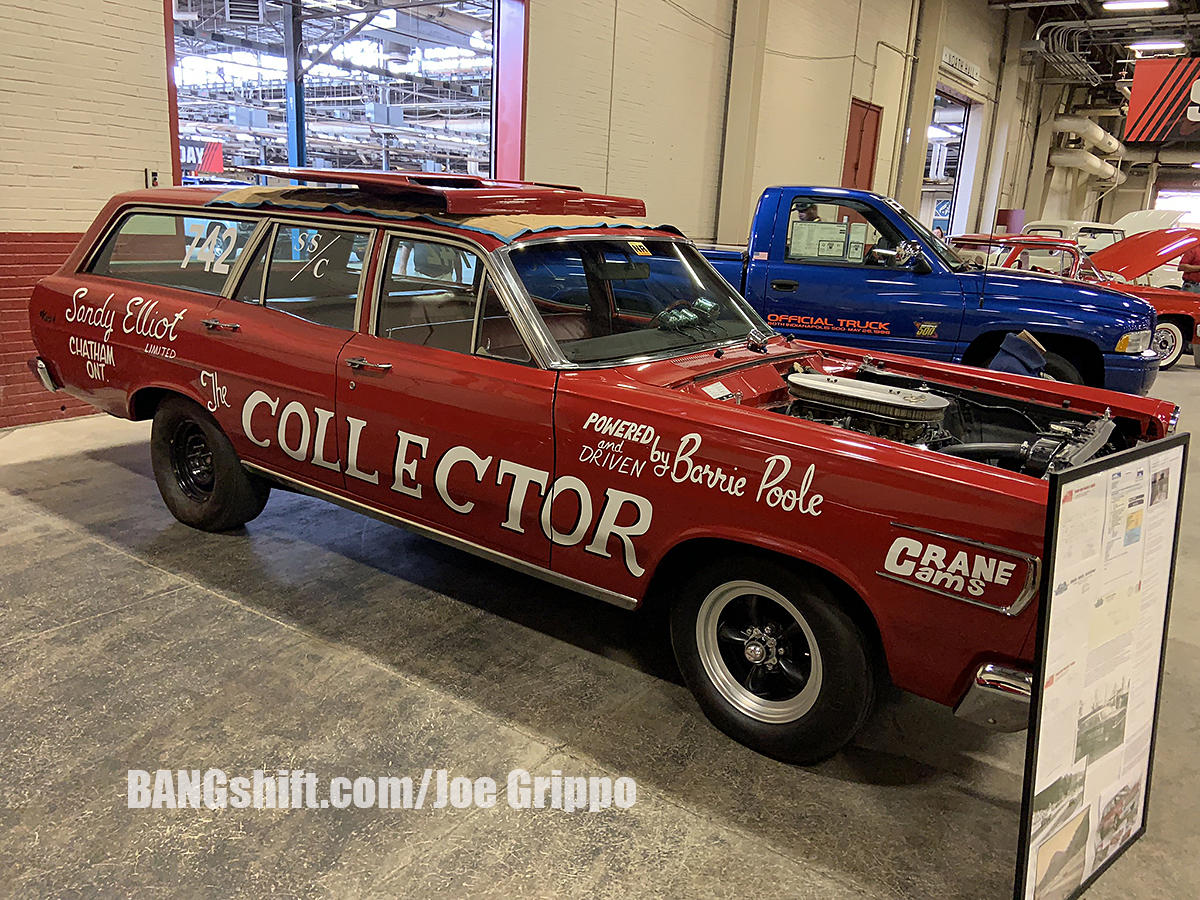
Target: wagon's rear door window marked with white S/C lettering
{"type": "Point", "coordinates": [311, 273]}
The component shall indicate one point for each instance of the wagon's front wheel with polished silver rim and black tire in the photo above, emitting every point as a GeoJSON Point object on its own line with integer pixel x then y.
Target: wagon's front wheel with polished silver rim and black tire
{"type": "Point", "coordinates": [773, 659]}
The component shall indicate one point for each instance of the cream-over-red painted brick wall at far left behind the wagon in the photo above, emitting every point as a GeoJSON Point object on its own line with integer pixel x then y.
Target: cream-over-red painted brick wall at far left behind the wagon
{"type": "Point", "coordinates": [85, 111]}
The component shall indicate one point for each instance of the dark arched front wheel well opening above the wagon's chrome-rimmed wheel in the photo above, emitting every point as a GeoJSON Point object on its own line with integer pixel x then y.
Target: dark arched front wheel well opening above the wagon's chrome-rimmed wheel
{"type": "Point", "coordinates": [687, 557]}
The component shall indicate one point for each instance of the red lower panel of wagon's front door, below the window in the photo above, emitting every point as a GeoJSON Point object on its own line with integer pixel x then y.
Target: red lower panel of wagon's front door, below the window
{"type": "Point", "coordinates": [461, 443]}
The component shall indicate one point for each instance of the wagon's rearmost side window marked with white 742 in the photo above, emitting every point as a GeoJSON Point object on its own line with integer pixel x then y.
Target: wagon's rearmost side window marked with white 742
{"type": "Point", "coordinates": [177, 250]}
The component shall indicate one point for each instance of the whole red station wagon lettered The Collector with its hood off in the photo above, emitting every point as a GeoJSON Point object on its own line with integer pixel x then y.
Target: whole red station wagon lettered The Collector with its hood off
{"type": "Point", "coordinates": [532, 375]}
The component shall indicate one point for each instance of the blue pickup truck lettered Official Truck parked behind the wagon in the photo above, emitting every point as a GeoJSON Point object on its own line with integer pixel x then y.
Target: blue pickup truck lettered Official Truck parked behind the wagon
{"type": "Point", "coordinates": [855, 268]}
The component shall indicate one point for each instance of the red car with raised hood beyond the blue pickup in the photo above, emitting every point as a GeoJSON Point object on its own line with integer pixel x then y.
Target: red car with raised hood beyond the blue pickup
{"type": "Point", "coordinates": [1117, 267]}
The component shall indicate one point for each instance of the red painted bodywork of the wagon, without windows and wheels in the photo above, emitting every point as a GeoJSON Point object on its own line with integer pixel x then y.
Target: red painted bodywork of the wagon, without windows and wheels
{"type": "Point", "coordinates": [592, 477]}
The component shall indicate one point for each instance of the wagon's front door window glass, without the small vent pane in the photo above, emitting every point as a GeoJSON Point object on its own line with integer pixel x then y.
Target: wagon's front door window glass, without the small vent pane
{"type": "Point", "coordinates": [430, 293]}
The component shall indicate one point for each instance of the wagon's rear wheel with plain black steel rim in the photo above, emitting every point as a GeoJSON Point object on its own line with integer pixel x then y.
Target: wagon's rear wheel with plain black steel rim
{"type": "Point", "coordinates": [199, 473]}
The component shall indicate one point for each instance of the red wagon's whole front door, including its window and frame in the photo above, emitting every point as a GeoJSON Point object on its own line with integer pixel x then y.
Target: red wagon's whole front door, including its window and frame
{"type": "Point", "coordinates": [442, 434]}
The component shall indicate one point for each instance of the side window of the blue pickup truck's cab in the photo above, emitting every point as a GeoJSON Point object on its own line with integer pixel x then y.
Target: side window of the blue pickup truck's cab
{"type": "Point", "coordinates": [847, 233]}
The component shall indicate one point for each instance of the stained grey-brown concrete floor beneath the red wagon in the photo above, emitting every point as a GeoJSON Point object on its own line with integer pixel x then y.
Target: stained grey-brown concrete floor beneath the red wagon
{"type": "Point", "coordinates": [323, 640]}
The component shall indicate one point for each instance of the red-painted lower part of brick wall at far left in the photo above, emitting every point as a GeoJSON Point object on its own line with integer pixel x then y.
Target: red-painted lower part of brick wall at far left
{"type": "Point", "coordinates": [25, 260]}
